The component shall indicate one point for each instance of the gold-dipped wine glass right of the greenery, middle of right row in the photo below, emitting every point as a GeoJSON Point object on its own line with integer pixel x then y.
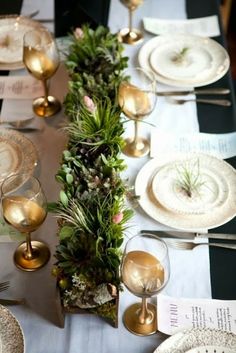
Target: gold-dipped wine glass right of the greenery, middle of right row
{"type": "Point", "coordinates": [137, 98]}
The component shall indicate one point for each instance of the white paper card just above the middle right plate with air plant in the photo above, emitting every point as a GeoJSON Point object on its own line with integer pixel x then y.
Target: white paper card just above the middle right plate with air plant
{"type": "Point", "coordinates": [219, 145]}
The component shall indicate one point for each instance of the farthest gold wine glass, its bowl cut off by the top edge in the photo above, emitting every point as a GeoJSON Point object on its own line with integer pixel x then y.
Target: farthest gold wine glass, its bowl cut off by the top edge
{"type": "Point", "coordinates": [130, 35]}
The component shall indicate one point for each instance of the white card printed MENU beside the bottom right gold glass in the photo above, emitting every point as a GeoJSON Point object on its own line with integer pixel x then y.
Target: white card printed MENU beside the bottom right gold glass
{"type": "Point", "coordinates": [176, 314]}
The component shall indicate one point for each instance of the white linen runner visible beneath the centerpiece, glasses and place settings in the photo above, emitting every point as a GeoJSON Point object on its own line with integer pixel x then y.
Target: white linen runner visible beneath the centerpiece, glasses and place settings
{"type": "Point", "coordinates": [189, 270]}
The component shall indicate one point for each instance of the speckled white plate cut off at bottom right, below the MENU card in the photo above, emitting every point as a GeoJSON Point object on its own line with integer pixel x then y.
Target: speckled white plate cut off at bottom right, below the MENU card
{"type": "Point", "coordinates": [186, 341]}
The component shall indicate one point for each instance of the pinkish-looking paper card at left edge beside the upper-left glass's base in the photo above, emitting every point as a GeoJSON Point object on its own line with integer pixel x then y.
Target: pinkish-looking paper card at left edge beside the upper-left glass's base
{"type": "Point", "coordinates": [20, 87]}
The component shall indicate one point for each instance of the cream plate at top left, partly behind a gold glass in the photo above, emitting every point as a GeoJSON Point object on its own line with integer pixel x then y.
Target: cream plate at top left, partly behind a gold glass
{"type": "Point", "coordinates": [12, 30]}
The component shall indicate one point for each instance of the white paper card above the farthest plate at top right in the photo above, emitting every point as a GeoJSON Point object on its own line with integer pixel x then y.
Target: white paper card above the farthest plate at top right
{"type": "Point", "coordinates": [204, 26]}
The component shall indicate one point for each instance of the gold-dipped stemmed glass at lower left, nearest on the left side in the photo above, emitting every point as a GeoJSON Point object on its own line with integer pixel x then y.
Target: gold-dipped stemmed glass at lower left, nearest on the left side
{"type": "Point", "coordinates": [24, 207]}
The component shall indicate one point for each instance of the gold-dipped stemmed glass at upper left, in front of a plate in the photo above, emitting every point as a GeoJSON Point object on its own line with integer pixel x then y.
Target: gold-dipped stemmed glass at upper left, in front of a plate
{"type": "Point", "coordinates": [41, 58]}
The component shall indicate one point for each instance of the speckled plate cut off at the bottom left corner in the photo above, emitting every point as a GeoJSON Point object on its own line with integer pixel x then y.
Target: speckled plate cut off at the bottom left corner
{"type": "Point", "coordinates": [11, 335]}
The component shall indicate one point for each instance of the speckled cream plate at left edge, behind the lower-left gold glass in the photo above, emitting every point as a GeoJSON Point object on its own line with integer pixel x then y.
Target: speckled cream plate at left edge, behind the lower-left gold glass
{"type": "Point", "coordinates": [18, 154]}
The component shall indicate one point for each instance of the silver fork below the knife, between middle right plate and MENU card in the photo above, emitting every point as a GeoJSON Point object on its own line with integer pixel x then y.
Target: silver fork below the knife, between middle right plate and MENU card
{"type": "Point", "coordinates": [189, 245]}
